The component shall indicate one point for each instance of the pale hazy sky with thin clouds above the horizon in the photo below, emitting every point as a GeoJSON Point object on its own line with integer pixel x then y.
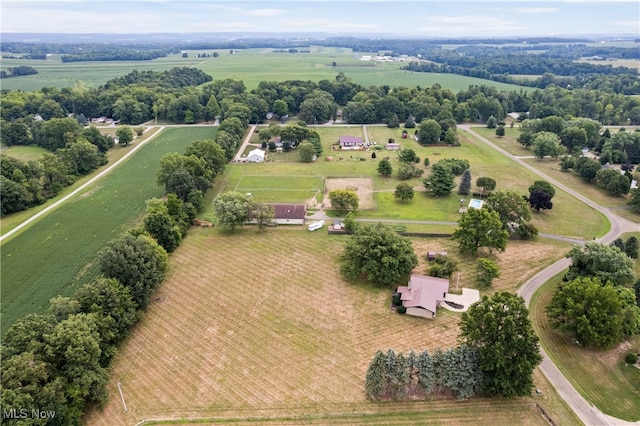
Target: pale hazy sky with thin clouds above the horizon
{"type": "Point", "coordinates": [415, 18]}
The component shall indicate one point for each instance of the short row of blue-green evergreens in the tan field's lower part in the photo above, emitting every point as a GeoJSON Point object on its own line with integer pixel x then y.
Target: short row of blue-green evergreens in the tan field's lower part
{"type": "Point", "coordinates": [395, 376]}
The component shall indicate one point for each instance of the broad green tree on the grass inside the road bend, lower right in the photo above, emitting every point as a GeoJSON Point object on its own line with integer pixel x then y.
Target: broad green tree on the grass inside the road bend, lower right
{"type": "Point", "coordinates": [596, 314]}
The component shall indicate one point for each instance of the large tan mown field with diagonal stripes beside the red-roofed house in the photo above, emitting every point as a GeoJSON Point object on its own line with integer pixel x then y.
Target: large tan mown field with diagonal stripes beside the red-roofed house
{"type": "Point", "coordinates": [262, 326]}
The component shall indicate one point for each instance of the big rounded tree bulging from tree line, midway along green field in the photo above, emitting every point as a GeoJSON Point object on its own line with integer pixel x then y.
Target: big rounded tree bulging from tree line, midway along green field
{"type": "Point", "coordinates": [138, 262]}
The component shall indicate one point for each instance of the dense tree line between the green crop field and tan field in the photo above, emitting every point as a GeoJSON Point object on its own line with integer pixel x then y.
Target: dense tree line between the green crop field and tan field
{"type": "Point", "coordinates": [58, 361]}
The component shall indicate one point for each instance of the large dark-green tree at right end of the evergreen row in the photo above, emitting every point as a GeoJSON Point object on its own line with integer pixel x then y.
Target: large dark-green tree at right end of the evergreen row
{"type": "Point", "coordinates": [499, 327]}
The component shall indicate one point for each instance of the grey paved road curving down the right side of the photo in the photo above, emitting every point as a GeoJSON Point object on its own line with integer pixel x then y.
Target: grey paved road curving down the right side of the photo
{"type": "Point", "coordinates": [589, 414]}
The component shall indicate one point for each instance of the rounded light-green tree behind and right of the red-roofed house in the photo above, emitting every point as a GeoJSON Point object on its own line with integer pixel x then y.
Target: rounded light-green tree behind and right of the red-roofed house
{"type": "Point", "coordinates": [480, 228]}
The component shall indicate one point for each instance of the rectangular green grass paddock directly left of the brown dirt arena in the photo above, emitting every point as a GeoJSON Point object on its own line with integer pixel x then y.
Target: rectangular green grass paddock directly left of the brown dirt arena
{"type": "Point", "coordinates": [286, 189]}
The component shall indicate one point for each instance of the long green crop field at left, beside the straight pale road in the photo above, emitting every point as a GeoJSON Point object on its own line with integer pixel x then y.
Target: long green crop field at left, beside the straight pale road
{"type": "Point", "coordinates": [57, 254]}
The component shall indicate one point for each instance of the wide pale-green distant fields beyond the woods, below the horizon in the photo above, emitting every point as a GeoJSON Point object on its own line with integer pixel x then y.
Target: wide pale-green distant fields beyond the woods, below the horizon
{"type": "Point", "coordinates": [251, 66]}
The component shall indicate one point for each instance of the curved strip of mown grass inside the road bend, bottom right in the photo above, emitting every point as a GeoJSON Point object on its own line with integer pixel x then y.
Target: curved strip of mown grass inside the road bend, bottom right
{"type": "Point", "coordinates": [601, 377]}
